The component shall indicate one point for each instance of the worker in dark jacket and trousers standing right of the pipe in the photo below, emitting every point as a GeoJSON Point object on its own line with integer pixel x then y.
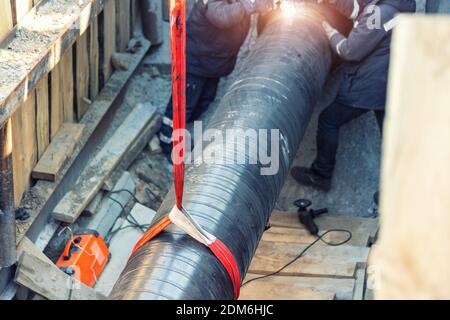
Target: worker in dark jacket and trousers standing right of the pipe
{"type": "Point", "coordinates": [365, 54]}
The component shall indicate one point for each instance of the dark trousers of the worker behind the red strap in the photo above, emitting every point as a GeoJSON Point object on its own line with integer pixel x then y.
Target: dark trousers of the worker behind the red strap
{"type": "Point", "coordinates": [200, 92]}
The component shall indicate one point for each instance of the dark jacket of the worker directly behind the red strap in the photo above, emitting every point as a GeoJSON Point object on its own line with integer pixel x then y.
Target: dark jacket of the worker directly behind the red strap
{"type": "Point", "coordinates": [216, 30]}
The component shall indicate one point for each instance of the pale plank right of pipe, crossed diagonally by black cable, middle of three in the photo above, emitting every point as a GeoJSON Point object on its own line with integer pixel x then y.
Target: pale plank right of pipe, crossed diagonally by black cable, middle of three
{"type": "Point", "coordinates": [320, 260]}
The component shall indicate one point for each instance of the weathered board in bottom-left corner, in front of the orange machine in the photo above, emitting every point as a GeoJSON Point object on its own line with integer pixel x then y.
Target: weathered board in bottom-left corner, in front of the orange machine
{"type": "Point", "coordinates": [49, 281]}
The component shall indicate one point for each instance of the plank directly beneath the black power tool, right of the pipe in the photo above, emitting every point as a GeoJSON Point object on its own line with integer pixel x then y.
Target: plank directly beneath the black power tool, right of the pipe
{"type": "Point", "coordinates": [356, 225]}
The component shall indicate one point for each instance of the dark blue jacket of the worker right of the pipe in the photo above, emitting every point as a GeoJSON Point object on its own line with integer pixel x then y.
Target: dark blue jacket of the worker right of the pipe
{"type": "Point", "coordinates": [366, 54]}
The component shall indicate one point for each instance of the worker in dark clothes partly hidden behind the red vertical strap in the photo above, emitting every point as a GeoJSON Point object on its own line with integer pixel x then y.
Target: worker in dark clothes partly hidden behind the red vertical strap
{"type": "Point", "coordinates": [216, 30]}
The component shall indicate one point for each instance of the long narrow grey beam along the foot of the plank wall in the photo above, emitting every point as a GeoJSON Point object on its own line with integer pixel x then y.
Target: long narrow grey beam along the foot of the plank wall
{"type": "Point", "coordinates": [49, 193]}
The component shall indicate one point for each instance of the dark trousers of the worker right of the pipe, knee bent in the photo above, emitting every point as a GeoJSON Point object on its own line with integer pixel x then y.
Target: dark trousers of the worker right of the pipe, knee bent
{"type": "Point", "coordinates": [330, 121]}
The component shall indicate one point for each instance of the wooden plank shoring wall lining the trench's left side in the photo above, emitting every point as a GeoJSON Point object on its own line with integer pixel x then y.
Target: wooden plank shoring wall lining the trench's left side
{"type": "Point", "coordinates": [62, 89]}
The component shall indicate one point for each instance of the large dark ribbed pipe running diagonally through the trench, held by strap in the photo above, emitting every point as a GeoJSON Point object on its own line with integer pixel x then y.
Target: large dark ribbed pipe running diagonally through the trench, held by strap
{"type": "Point", "coordinates": [277, 88]}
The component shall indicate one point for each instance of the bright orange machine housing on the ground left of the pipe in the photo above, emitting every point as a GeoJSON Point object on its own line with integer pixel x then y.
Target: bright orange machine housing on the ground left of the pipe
{"type": "Point", "coordinates": [84, 257]}
